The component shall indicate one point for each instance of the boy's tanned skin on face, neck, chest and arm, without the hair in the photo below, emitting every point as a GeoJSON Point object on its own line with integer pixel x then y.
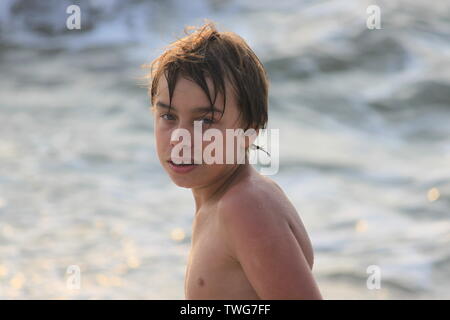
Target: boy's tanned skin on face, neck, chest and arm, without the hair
{"type": "Point", "coordinates": [248, 241]}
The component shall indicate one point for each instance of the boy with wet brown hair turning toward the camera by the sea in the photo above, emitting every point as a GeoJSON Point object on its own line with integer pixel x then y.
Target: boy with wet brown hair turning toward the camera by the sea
{"type": "Point", "coordinates": [248, 242]}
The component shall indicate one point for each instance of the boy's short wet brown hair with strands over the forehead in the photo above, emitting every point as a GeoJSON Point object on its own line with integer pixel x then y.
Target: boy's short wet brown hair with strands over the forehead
{"type": "Point", "coordinates": [220, 56]}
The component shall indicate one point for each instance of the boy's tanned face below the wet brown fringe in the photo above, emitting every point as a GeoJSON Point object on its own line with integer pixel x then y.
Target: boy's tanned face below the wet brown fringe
{"type": "Point", "coordinates": [188, 97]}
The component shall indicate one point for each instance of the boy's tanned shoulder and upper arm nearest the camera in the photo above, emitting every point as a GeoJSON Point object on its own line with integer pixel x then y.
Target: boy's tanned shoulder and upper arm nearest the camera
{"type": "Point", "coordinates": [270, 244]}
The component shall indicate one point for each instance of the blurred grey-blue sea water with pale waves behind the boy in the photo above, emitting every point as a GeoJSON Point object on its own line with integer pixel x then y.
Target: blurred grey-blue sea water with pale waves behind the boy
{"type": "Point", "coordinates": [364, 119]}
